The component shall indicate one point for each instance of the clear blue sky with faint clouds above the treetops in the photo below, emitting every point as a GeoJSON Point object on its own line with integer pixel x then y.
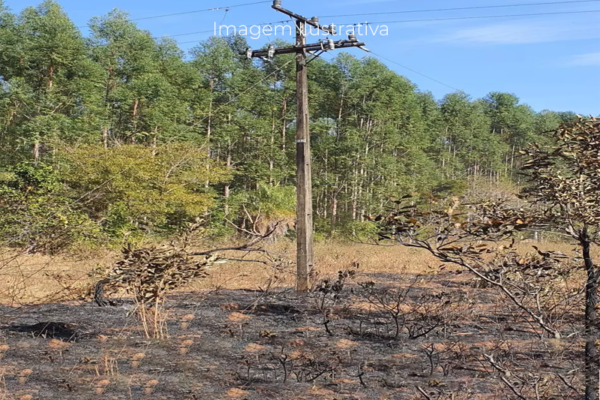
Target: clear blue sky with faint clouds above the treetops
{"type": "Point", "coordinates": [548, 61]}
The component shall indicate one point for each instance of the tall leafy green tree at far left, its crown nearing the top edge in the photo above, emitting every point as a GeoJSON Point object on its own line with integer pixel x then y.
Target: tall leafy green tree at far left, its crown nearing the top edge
{"type": "Point", "coordinates": [44, 75]}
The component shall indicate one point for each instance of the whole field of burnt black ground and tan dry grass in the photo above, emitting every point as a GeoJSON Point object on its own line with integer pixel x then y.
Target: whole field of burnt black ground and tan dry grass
{"type": "Point", "coordinates": [398, 325]}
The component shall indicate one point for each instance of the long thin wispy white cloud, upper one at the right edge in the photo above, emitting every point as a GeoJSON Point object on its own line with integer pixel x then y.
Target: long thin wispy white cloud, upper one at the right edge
{"type": "Point", "coordinates": [521, 33]}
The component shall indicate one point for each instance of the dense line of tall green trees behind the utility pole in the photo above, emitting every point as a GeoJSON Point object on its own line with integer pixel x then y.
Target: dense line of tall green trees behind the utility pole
{"type": "Point", "coordinates": [122, 133]}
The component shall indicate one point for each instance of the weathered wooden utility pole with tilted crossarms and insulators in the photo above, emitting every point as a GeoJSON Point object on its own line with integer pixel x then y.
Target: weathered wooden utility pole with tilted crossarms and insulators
{"type": "Point", "coordinates": [304, 210]}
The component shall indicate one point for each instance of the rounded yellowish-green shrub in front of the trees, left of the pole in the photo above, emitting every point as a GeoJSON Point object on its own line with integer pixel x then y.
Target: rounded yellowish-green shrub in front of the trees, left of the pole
{"type": "Point", "coordinates": [131, 189]}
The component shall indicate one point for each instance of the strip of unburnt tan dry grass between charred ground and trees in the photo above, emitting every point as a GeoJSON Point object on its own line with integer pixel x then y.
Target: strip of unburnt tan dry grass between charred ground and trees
{"type": "Point", "coordinates": [31, 279]}
